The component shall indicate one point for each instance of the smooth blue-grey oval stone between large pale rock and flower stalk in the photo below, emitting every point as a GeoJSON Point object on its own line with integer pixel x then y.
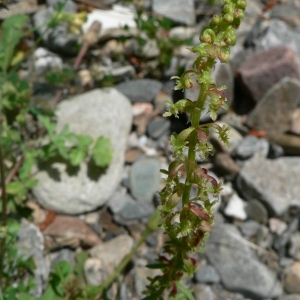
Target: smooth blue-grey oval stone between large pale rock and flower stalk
{"type": "Point", "coordinates": [145, 179]}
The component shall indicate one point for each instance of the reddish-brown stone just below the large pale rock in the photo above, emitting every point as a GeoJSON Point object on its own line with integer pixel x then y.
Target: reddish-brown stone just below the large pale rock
{"type": "Point", "coordinates": [70, 231]}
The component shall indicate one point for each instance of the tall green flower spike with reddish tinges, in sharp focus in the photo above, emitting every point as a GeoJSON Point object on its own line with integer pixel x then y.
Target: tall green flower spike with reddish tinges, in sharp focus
{"type": "Point", "coordinates": [184, 215]}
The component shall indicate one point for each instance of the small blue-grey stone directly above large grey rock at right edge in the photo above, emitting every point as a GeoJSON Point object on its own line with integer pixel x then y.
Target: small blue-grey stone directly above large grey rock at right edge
{"type": "Point", "coordinates": [250, 145]}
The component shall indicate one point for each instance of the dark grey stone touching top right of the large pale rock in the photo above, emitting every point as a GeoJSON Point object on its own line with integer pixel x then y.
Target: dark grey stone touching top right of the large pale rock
{"type": "Point", "coordinates": [140, 90]}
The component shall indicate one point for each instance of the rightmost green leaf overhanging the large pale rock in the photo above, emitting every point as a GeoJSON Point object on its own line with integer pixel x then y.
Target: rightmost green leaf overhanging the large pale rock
{"type": "Point", "coordinates": [102, 152]}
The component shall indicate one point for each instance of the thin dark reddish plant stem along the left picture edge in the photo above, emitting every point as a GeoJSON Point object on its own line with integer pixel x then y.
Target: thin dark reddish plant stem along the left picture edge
{"type": "Point", "coordinates": [4, 216]}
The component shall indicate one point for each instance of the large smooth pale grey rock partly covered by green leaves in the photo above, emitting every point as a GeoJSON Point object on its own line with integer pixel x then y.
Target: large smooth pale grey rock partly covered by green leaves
{"type": "Point", "coordinates": [101, 112]}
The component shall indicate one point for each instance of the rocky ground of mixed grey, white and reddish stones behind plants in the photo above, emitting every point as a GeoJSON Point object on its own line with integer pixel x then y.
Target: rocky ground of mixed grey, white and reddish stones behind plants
{"type": "Point", "coordinates": [253, 251]}
